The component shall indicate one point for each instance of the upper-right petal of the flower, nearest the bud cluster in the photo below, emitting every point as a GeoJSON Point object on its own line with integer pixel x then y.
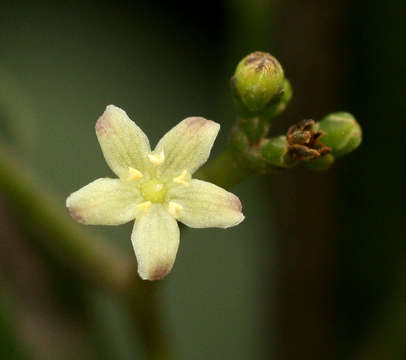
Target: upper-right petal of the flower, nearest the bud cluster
{"type": "Point", "coordinates": [187, 146]}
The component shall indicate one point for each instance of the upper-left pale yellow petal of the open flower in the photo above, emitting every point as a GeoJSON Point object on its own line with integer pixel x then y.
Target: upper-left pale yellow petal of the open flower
{"type": "Point", "coordinates": [123, 143]}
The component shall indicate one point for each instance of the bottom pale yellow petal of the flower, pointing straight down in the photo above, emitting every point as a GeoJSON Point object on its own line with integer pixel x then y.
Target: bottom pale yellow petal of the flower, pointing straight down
{"type": "Point", "coordinates": [155, 239]}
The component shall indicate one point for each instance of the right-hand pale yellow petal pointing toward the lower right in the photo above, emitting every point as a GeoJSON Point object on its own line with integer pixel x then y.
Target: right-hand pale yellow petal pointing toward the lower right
{"type": "Point", "coordinates": [206, 205]}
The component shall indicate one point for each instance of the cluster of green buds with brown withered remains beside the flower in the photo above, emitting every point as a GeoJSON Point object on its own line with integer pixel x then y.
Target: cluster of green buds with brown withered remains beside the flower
{"type": "Point", "coordinates": [261, 92]}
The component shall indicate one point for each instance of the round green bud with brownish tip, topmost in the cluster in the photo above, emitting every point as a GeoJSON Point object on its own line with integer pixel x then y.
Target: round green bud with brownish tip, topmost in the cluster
{"type": "Point", "coordinates": [258, 80]}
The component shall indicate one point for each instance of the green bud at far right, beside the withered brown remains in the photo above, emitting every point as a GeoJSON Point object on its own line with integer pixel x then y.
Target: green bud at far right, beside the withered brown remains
{"type": "Point", "coordinates": [342, 133]}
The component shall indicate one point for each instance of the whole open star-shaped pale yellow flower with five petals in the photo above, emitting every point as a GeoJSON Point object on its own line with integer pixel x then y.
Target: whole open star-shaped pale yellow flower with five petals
{"type": "Point", "coordinates": [155, 188]}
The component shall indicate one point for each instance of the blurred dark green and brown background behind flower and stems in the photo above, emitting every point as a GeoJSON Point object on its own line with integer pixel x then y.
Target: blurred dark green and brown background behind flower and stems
{"type": "Point", "coordinates": [318, 267]}
